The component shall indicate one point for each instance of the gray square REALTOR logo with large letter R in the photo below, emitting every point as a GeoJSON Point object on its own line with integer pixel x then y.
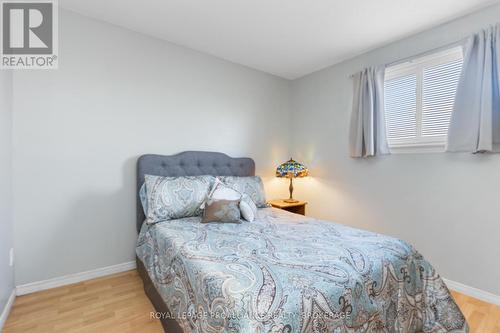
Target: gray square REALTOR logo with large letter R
{"type": "Point", "coordinates": [29, 34]}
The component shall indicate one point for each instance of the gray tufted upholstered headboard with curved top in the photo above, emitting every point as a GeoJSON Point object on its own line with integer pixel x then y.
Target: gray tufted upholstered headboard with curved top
{"type": "Point", "coordinates": [189, 163]}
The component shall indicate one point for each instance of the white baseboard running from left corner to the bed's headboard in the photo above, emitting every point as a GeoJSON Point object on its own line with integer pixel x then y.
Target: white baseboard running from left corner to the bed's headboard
{"type": "Point", "coordinates": [73, 278]}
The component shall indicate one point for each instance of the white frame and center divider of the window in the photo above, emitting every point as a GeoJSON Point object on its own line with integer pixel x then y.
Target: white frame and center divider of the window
{"type": "Point", "coordinates": [416, 66]}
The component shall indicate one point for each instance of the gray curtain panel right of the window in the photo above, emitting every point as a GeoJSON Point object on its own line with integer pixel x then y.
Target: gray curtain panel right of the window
{"type": "Point", "coordinates": [475, 122]}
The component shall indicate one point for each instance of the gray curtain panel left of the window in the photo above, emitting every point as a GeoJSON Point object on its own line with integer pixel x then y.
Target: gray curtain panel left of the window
{"type": "Point", "coordinates": [368, 135]}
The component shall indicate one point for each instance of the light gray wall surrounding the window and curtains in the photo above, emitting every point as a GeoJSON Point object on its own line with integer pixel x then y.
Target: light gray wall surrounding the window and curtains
{"type": "Point", "coordinates": [445, 204]}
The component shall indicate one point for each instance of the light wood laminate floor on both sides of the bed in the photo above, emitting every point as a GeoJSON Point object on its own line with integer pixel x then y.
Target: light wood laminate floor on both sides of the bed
{"type": "Point", "coordinates": [117, 303]}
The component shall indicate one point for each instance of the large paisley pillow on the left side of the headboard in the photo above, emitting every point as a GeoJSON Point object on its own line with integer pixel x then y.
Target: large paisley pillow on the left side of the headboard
{"type": "Point", "coordinates": [171, 198]}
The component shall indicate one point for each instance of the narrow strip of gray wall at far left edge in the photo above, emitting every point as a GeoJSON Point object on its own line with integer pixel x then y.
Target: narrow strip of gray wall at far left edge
{"type": "Point", "coordinates": [6, 224]}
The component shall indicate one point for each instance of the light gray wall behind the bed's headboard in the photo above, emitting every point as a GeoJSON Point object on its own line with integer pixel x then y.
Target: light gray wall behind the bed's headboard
{"type": "Point", "coordinates": [116, 95]}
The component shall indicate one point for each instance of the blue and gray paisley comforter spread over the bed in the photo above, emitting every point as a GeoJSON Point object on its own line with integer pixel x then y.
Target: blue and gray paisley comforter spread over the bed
{"type": "Point", "coordinates": [287, 273]}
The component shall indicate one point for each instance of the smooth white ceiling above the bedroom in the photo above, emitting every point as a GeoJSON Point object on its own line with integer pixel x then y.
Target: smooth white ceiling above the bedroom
{"type": "Point", "coordinates": [288, 38]}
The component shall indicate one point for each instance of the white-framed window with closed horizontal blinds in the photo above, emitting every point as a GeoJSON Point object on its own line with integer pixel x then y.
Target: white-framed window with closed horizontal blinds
{"type": "Point", "coordinates": [419, 96]}
